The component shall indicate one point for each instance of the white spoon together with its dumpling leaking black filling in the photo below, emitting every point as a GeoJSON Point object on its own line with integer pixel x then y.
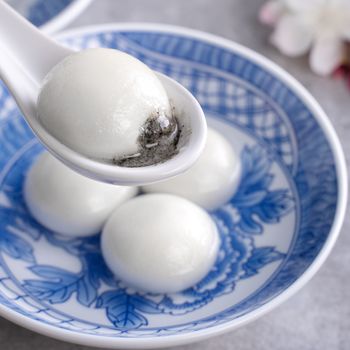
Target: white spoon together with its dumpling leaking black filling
{"type": "Point", "coordinates": [101, 111]}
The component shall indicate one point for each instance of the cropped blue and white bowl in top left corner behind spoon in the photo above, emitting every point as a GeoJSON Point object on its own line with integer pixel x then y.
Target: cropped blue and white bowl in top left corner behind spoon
{"type": "Point", "coordinates": [49, 15]}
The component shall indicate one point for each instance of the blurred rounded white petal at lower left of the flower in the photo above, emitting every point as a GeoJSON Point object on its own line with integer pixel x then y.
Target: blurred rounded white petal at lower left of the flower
{"type": "Point", "coordinates": [291, 36]}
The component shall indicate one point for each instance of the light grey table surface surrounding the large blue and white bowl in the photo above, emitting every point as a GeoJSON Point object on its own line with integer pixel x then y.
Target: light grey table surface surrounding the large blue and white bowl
{"type": "Point", "coordinates": [318, 317]}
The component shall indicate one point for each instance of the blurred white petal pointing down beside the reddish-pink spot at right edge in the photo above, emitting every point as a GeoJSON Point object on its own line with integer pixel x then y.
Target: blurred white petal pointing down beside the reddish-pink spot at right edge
{"type": "Point", "coordinates": [326, 55]}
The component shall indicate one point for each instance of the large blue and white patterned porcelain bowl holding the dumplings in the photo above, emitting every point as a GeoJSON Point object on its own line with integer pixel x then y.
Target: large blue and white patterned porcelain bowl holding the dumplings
{"type": "Point", "coordinates": [276, 231]}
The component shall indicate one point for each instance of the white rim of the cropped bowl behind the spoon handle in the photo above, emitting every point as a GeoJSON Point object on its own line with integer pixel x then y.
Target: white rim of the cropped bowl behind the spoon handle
{"type": "Point", "coordinates": [64, 17]}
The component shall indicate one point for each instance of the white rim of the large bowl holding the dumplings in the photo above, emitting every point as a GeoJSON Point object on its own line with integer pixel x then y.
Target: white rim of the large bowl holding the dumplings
{"type": "Point", "coordinates": [341, 171]}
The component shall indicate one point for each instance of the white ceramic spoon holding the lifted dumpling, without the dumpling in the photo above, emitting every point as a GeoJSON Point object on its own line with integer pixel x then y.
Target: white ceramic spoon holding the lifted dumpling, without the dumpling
{"type": "Point", "coordinates": [26, 56]}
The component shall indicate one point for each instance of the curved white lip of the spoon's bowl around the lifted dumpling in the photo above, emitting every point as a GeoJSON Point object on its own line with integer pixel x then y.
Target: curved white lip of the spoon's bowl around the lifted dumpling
{"type": "Point", "coordinates": [188, 154]}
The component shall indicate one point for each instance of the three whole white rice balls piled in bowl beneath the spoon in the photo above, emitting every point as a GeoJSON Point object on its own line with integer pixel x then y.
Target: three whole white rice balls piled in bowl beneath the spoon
{"type": "Point", "coordinates": [158, 238]}
